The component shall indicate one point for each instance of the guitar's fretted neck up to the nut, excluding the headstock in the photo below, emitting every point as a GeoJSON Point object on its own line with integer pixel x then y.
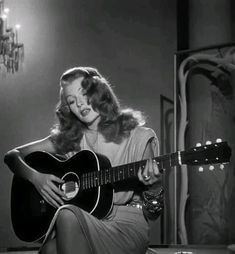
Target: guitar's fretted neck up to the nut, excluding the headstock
{"type": "Point", "coordinates": [127, 171]}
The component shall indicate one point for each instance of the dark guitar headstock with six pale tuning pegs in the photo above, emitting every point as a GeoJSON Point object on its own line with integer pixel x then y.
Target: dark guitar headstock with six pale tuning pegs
{"type": "Point", "coordinates": [208, 154]}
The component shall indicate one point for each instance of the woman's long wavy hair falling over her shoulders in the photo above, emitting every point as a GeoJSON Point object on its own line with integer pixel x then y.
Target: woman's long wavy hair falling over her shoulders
{"type": "Point", "coordinates": [115, 123]}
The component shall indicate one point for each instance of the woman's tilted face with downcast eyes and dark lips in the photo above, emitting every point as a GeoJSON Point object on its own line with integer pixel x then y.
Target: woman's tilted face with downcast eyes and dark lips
{"type": "Point", "coordinates": [78, 103]}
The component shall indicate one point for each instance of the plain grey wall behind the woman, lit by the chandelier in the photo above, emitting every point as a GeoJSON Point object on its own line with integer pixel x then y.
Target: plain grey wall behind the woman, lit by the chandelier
{"type": "Point", "coordinates": [131, 42]}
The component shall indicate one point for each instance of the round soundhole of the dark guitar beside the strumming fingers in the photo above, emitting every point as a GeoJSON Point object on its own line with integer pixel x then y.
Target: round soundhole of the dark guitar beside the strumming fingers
{"type": "Point", "coordinates": [71, 185]}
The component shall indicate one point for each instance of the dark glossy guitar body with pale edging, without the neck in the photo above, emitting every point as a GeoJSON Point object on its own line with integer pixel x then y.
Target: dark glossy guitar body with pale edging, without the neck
{"type": "Point", "coordinates": [31, 215]}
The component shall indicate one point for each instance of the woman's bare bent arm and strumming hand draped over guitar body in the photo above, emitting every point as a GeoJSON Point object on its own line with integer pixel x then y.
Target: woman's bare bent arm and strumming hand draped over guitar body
{"type": "Point", "coordinates": [43, 182]}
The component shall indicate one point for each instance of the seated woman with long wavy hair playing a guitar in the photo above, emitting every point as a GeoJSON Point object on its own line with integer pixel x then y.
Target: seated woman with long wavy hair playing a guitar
{"type": "Point", "coordinates": [90, 117]}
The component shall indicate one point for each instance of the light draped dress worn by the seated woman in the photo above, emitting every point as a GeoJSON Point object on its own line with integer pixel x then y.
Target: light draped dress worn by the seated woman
{"type": "Point", "coordinates": [125, 230]}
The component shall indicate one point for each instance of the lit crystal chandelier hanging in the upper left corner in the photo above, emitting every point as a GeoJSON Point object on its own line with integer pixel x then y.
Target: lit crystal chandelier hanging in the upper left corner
{"type": "Point", "coordinates": [11, 51]}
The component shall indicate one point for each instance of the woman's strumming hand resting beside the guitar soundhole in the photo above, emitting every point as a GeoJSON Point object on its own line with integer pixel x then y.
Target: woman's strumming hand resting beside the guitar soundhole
{"type": "Point", "coordinates": [45, 185]}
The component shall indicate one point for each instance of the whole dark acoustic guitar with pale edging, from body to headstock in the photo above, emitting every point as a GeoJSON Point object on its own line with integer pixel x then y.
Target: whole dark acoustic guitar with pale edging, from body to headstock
{"type": "Point", "coordinates": [88, 183]}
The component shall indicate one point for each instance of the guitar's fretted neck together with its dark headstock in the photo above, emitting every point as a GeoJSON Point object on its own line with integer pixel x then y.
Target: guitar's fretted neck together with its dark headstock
{"type": "Point", "coordinates": [215, 153]}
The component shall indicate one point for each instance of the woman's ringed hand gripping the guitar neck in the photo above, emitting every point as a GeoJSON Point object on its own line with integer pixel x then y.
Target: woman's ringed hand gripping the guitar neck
{"type": "Point", "coordinates": [150, 174]}
